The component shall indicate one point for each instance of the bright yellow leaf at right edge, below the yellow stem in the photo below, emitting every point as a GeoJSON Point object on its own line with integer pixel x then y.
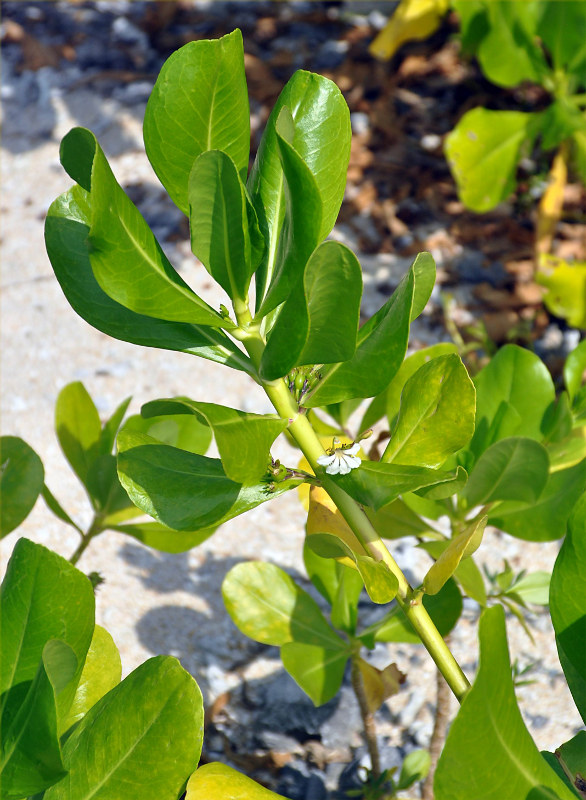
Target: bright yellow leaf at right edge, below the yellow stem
{"type": "Point", "coordinates": [566, 288]}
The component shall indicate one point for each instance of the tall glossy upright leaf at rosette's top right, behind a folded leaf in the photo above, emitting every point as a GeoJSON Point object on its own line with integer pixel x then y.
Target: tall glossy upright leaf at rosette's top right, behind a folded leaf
{"type": "Point", "coordinates": [322, 136]}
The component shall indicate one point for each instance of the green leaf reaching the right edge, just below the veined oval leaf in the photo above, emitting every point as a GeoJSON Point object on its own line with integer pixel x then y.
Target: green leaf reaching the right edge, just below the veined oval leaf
{"type": "Point", "coordinates": [546, 518]}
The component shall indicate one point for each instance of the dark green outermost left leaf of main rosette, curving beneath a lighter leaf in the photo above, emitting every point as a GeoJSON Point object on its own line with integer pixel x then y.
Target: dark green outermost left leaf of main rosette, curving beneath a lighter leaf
{"type": "Point", "coordinates": [66, 238]}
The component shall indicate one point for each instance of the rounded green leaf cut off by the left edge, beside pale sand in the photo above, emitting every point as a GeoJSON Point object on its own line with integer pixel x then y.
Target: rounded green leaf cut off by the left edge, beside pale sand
{"type": "Point", "coordinates": [21, 481]}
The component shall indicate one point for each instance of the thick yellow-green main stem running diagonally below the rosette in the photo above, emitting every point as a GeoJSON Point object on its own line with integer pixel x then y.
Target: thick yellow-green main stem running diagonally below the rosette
{"type": "Point", "coordinates": [309, 443]}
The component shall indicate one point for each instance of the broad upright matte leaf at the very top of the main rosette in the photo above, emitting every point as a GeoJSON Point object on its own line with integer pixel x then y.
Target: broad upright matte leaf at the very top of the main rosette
{"type": "Point", "coordinates": [199, 103]}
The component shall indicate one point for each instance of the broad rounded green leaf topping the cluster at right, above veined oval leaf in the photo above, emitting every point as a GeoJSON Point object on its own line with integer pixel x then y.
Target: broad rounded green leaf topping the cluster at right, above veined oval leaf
{"type": "Point", "coordinates": [513, 393]}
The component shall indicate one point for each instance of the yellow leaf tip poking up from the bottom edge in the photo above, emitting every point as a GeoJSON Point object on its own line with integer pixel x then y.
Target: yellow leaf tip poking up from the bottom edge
{"type": "Point", "coordinates": [225, 783]}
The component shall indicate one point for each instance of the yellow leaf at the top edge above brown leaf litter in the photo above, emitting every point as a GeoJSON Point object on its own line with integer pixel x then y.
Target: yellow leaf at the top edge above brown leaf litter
{"type": "Point", "coordinates": [413, 19]}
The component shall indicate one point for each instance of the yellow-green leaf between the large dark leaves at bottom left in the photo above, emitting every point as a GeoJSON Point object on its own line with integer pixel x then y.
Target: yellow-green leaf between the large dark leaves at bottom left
{"type": "Point", "coordinates": [101, 672]}
